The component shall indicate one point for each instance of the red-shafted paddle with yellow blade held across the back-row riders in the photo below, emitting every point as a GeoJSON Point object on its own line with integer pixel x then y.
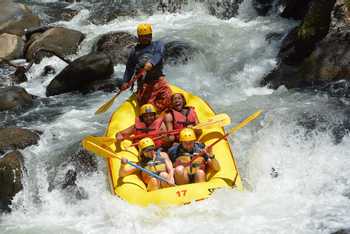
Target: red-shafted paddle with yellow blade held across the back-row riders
{"type": "Point", "coordinates": [219, 120]}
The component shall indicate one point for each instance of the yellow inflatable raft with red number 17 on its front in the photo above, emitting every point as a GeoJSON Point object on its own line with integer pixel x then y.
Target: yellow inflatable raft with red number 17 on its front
{"type": "Point", "coordinates": [132, 189]}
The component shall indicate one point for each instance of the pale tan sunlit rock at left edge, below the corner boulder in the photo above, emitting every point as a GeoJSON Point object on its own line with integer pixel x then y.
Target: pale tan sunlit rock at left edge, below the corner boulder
{"type": "Point", "coordinates": [11, 46]}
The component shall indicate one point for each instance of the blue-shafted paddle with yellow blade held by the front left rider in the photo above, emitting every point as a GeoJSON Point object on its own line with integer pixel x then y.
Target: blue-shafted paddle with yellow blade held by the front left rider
{"type": "Point", "coordinates": [109, 154]}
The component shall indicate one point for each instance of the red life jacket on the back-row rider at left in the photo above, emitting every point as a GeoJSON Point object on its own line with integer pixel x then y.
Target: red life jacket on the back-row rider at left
{"type": "Point", "coordinates": [153, 129]}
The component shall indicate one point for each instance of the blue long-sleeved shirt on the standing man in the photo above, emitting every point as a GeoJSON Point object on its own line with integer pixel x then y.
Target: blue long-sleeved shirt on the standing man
{"type": "Point", "coordinates": [152, 53]}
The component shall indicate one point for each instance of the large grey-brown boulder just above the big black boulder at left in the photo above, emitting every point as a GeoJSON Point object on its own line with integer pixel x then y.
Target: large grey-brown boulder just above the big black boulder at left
{"type": "Point", "coordinates": [62, 41]}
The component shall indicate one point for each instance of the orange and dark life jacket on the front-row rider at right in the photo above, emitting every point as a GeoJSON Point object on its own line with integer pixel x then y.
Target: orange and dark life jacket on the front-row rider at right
{"type": "Point", "coordinates": [190, 161]}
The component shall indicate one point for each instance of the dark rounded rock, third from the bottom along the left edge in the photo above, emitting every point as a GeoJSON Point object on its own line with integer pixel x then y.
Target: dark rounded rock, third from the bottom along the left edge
{"type": "Point", "coordinates": [14, 97]}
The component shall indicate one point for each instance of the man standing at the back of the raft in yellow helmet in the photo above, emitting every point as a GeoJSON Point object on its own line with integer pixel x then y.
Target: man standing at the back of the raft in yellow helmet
{"type": "Point", "coordinates": [148, 55]}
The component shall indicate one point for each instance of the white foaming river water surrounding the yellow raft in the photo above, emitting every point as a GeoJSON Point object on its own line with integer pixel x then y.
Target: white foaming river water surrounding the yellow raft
{"type": "Point", "coordinates": [308, 195]}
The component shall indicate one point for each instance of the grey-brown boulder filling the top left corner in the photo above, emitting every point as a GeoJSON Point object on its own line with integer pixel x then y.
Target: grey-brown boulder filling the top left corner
{"type": "Point", "coordinates": [16, 17]}
